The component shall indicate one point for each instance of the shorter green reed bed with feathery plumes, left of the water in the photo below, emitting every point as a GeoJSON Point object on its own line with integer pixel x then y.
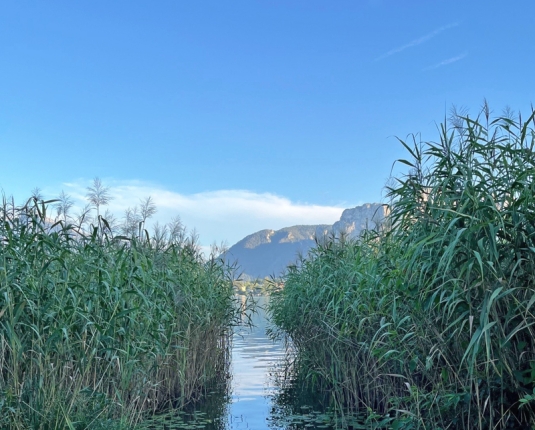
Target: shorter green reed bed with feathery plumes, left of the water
{"type": "Point", "coordinates": [99, 330]}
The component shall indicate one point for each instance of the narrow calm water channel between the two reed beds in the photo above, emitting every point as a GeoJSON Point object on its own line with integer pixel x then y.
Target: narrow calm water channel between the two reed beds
{"type": "Point", "coordinates": [254, 397]}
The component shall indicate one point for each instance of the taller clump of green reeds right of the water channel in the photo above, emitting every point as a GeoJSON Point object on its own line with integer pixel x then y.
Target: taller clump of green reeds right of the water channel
{"type": "Point", "coordinates": [429, 323]}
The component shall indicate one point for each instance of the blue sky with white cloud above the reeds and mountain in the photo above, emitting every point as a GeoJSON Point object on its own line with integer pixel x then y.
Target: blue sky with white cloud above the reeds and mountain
{"type": "Point", "coordinates": [242, 115]}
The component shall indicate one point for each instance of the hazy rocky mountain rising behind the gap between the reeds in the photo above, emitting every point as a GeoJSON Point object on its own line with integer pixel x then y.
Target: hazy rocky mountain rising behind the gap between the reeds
{"type": "Point", "coordinates": [269, 252]}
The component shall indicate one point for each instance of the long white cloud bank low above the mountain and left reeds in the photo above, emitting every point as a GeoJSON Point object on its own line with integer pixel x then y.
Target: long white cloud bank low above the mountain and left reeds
{"type": "Point", "coordinates": [218, 216]}
